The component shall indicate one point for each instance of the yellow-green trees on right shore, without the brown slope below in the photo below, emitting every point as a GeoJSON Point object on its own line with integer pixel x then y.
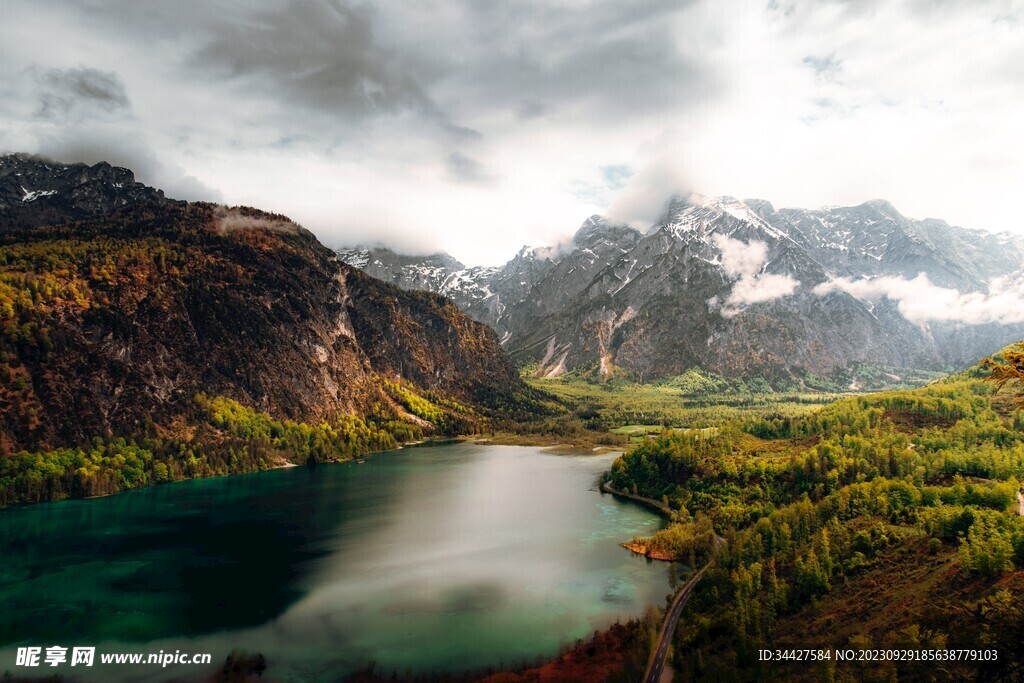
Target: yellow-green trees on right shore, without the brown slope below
{"type": "Point", "coordinates": [808, 504]}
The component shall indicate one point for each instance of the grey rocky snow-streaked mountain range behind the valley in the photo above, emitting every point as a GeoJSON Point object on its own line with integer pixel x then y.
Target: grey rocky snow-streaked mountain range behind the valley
{"type": "Point", "coordinates": [731, 286]}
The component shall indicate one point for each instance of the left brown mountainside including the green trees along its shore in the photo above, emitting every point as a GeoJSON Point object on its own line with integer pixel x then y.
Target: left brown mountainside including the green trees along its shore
{"type": "Point", "coordinates": [172, 340]}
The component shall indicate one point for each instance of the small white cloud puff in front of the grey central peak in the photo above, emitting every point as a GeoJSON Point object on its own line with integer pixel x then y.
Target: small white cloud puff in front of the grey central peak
{"type": "Point", "coordinates": [744, 263]}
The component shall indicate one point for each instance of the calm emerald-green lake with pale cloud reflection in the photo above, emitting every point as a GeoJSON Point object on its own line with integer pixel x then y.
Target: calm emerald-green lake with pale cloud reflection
{"type": "Point", "coordinates": [450, 558]}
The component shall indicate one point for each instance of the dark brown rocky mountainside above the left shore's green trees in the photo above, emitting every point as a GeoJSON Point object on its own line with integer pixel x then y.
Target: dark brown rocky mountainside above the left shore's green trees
{"type": "Point", "coordinates": [113, 325]}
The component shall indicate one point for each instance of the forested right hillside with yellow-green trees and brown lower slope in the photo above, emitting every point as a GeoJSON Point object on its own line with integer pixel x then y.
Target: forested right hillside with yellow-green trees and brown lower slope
{"type": "Point", "coordinates": [884, 521]}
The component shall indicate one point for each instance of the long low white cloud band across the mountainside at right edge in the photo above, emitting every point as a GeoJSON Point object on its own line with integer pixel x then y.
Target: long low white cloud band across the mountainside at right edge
{"type": "Point", "coordinates": [919, 301]}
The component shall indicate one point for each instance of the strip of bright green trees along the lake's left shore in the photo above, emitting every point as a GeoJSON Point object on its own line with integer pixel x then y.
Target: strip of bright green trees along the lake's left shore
{"type": "Point", "coordinates": [226, 438]}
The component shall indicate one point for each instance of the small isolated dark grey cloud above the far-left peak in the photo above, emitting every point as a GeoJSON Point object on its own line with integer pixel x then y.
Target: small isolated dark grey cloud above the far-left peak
{"type": "Point", "coordinates": [65, 92]}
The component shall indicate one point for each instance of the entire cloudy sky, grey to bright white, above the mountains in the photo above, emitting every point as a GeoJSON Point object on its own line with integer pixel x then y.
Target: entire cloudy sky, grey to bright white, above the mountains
{"type": "Point", "coordinates": [478, 126]}
